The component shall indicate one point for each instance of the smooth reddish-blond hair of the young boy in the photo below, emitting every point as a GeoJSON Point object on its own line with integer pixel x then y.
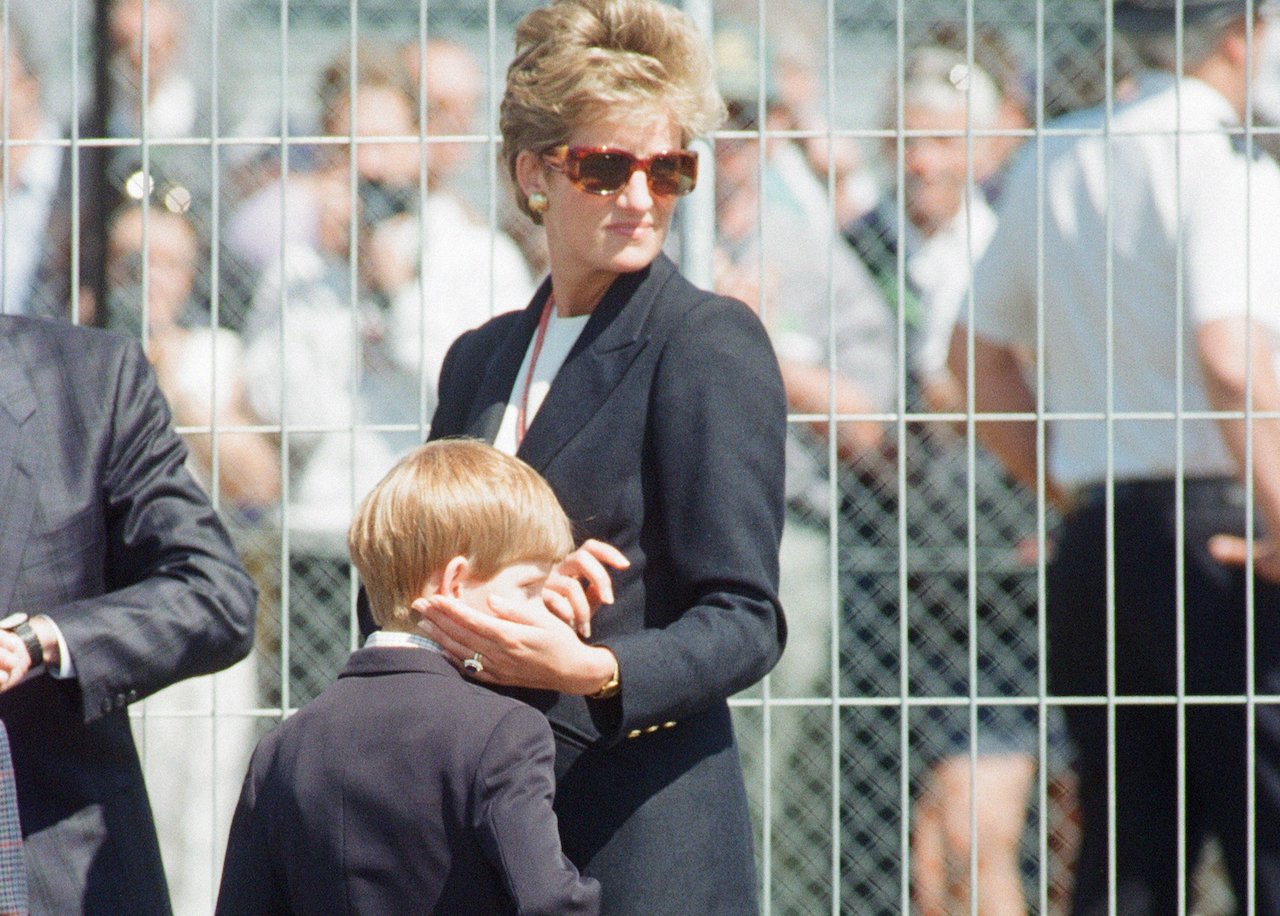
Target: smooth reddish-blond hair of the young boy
{"type": "Point", "coordinates": [451, 498]}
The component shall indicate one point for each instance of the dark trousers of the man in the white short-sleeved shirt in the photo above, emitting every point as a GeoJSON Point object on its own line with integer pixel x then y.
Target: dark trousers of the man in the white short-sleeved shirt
{"type": "Point", "coordinates": [1217, 652]}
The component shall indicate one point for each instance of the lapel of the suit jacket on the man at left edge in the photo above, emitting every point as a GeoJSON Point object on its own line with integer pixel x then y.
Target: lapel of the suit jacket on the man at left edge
{"type": "Point", "coordinates": [17, 492]}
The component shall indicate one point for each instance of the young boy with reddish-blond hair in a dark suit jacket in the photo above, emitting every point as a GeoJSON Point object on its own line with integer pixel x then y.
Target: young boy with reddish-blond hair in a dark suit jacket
{"type": "Point", "coordinates": [404, 787]}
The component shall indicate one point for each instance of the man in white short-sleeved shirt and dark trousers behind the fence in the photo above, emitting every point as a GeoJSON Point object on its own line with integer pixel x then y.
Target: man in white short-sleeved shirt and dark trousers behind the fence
{"type": "Point", "coordinates": [1155, 317]}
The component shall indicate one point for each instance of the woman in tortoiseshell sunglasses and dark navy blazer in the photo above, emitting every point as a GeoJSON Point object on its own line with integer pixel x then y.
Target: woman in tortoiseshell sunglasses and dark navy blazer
{"type": "Point", "coordinates": [657, 414]}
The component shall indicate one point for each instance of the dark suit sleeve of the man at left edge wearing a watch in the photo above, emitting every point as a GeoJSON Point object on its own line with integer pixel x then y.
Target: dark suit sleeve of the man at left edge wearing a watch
{"type": "Point", "coordinates": [177, 599]}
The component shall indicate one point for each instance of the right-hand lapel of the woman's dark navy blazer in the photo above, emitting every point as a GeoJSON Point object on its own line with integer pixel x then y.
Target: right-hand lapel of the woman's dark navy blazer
{"type": "Point", "coordinates": [612, 340]}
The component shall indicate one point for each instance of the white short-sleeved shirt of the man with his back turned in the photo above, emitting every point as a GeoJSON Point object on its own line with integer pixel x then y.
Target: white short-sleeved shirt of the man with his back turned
{"type": "Point", "coordinates": [1194, 193]}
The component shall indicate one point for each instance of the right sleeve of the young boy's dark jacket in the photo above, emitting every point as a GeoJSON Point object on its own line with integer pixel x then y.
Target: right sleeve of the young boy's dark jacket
{"type": "Point", "coordinates": [514, 818]}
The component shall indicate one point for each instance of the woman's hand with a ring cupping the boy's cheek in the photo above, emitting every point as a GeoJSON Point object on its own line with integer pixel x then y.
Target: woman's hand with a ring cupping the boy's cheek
{"type": "Point", "coordinates": [518, 648]}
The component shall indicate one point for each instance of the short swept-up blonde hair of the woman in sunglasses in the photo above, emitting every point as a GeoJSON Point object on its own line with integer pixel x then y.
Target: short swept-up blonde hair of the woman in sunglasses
{"type": "Point", "coordinates": [586, 61]}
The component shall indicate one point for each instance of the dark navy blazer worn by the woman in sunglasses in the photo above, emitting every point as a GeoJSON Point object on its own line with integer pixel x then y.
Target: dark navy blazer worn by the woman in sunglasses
{"type": "Point", "coordinates": [664, 436]}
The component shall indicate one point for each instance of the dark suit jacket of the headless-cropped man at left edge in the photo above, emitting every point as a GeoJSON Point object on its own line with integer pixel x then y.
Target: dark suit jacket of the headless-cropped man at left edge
{"type": "Point", "coordinates": [104, 530]}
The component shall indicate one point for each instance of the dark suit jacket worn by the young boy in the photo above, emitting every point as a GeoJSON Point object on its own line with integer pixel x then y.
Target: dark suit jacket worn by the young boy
{"type": "Point", "coordinates": [403, 790]}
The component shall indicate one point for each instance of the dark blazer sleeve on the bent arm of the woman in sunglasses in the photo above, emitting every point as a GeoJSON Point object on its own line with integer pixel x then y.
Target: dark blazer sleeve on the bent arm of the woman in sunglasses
{"type": "Point", "coordinates": [719, 433]}
